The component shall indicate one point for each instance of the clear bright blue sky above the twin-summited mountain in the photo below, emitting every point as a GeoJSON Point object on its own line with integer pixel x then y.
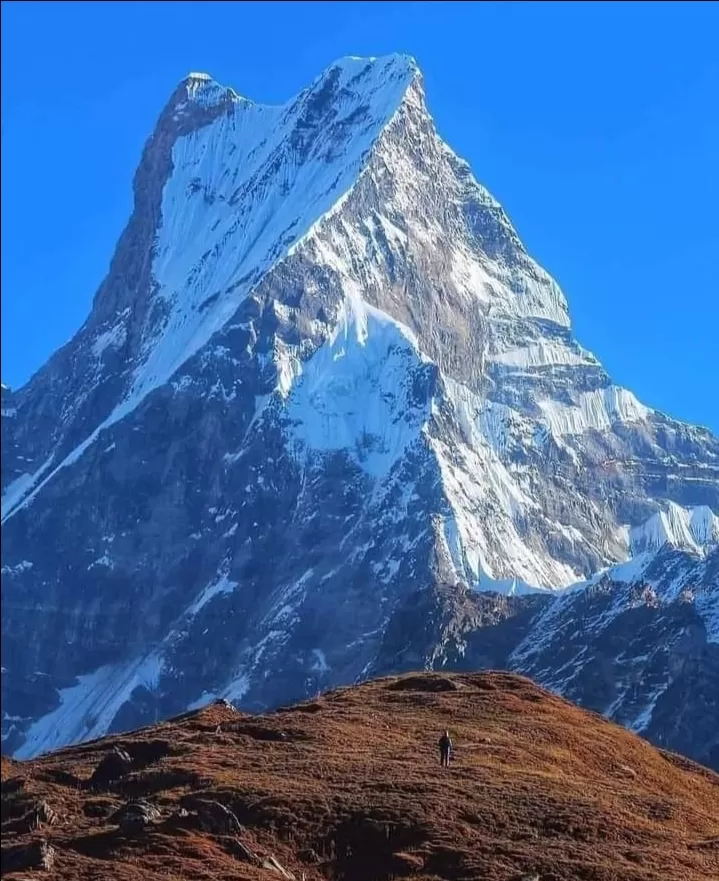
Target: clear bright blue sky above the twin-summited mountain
{"type": "Point", "coordinates": [595, 124]}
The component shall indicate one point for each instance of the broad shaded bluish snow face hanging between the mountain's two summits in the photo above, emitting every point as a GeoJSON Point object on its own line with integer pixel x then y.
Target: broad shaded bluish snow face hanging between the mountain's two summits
{"type": "Point", "coordinates": [249, 186]}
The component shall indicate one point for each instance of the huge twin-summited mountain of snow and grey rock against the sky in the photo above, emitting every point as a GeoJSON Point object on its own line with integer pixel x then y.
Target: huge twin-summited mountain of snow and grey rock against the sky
{"type": "Point", "coordinates": [321, 375]}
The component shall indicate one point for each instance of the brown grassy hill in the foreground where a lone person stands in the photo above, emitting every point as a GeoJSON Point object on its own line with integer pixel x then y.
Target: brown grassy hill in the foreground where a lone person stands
{"type": "Point", "coordinates": [349, 787]}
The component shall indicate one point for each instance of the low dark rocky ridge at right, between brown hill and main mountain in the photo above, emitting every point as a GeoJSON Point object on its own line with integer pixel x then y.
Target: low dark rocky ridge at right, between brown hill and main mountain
{"type": "Point", "coordinates": [643, 651]}
